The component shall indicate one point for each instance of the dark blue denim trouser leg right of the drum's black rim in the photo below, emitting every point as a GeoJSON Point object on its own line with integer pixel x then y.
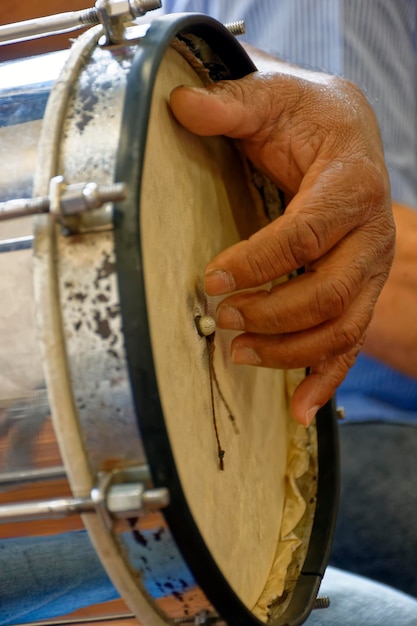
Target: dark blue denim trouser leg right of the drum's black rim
{"type": "Point", "coordinates": [376, 532]}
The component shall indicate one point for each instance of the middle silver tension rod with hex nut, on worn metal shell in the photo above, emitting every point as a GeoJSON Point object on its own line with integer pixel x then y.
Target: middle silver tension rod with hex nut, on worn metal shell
{"type": "Point", "coordinates": [65, 201]}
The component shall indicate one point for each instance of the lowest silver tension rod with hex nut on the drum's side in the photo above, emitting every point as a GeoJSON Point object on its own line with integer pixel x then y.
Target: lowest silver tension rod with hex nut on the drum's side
{"type": "Point", "coordinates": [111, 501]}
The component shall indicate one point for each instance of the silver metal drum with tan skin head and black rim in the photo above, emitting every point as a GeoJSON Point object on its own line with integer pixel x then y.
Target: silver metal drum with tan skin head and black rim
{"type": "Point", "coordinates": [230, 503]}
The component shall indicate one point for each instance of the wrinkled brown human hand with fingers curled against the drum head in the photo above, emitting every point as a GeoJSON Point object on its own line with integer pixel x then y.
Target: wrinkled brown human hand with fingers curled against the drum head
{"type": "Point", "coordinates": [316, 137]}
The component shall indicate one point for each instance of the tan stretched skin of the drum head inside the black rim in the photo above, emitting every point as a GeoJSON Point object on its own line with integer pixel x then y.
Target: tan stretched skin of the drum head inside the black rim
{"type": "Point", "coordinates": [187, 217]}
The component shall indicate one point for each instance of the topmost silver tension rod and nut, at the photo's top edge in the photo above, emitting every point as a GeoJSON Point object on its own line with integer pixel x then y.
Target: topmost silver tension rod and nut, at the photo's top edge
{"type": "Point", "coordinates": [103, 12]}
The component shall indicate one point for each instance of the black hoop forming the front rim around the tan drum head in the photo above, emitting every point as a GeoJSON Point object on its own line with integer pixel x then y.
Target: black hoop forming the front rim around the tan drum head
{"type": "Point", "coordinates": [142, 372]}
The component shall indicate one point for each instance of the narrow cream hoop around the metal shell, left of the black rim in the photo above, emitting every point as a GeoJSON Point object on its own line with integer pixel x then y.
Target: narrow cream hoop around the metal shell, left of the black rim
{"type": "Point", "coordinates": [62, 402]}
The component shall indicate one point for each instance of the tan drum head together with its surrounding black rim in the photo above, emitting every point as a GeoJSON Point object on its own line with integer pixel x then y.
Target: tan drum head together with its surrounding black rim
{"type": "Point", "coordinates": [189, 199]}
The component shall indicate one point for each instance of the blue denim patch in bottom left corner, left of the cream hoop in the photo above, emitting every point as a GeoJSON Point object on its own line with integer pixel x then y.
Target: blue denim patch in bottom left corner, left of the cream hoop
{"type": "Point", "coordinates": [48, 576]}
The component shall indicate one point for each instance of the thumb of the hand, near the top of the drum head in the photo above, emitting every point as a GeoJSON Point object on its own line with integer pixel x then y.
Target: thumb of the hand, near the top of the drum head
{"type": "Point", "coordinates": [226, 108]}
